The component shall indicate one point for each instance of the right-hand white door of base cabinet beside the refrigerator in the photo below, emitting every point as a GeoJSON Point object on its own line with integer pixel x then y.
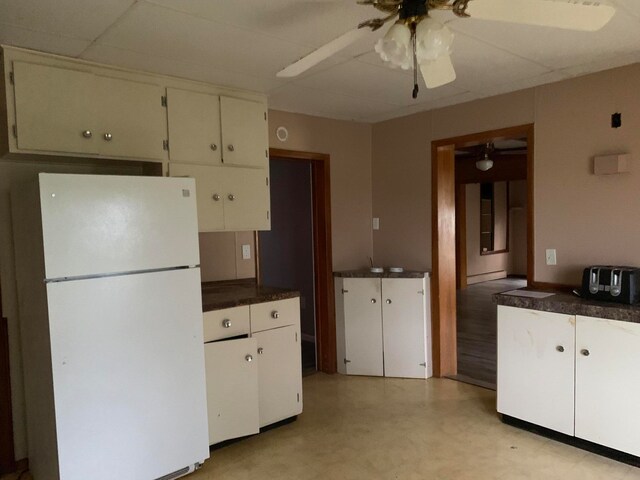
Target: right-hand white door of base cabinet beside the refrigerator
{"type": "Point", "coordinates": [280, 374]}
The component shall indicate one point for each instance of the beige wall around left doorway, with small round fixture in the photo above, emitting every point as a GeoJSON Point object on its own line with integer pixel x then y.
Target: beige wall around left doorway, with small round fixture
{"type": "Point", "coordinates": [349, 145]}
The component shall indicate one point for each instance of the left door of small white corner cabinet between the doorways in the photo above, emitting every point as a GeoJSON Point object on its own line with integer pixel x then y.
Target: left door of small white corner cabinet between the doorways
{"type": "Point", "coordinates": [363, 327]}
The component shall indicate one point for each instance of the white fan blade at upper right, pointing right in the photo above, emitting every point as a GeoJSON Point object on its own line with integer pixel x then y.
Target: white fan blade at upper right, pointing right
{"type": "Point", "coordinates": [570, 14]}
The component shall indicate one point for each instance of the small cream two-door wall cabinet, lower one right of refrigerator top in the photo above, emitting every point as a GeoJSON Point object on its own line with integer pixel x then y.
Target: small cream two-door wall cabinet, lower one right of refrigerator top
{"type": "Point", "coordinates": [229, 199]}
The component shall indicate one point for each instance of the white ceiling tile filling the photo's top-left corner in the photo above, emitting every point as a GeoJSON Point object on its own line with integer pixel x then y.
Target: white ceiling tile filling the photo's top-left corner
{"type": "Point", "coordinates": [73, 18]}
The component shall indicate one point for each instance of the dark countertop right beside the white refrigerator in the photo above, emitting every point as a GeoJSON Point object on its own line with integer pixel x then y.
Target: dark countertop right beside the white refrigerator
{"type": "Point", "coordinates": [219, 295]}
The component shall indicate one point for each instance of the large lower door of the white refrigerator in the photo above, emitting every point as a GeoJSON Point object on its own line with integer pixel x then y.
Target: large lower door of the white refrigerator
{"type": "Point", "coordinates": [128, 375]}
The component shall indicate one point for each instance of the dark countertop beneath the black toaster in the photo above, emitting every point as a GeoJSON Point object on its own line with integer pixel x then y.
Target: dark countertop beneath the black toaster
{"type": "Point", "coordinates": [569, 304]}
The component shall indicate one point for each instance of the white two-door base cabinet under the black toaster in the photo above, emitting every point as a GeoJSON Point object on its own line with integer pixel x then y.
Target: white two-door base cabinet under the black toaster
{"type": "Point", "coordinates": [572, 374]}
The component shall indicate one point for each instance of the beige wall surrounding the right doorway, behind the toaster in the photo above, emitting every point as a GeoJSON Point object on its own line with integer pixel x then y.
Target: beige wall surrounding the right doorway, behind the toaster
{"type": "Point", "coordinates": [588, 219]}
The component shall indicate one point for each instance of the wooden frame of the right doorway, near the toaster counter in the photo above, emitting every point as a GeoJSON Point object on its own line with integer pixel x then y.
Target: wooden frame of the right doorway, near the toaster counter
{"type": "Point", "coordinates": [443, 222]}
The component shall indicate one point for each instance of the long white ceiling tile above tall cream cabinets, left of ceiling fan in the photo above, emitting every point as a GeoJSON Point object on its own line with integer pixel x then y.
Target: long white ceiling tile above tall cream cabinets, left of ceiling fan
{"type": "Point", "coordinates": [199, 41]}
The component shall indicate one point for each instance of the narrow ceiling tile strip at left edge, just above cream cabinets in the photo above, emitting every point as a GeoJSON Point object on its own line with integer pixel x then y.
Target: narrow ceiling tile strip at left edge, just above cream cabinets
{"type": "Point", "coordinates": [46, 42]}
